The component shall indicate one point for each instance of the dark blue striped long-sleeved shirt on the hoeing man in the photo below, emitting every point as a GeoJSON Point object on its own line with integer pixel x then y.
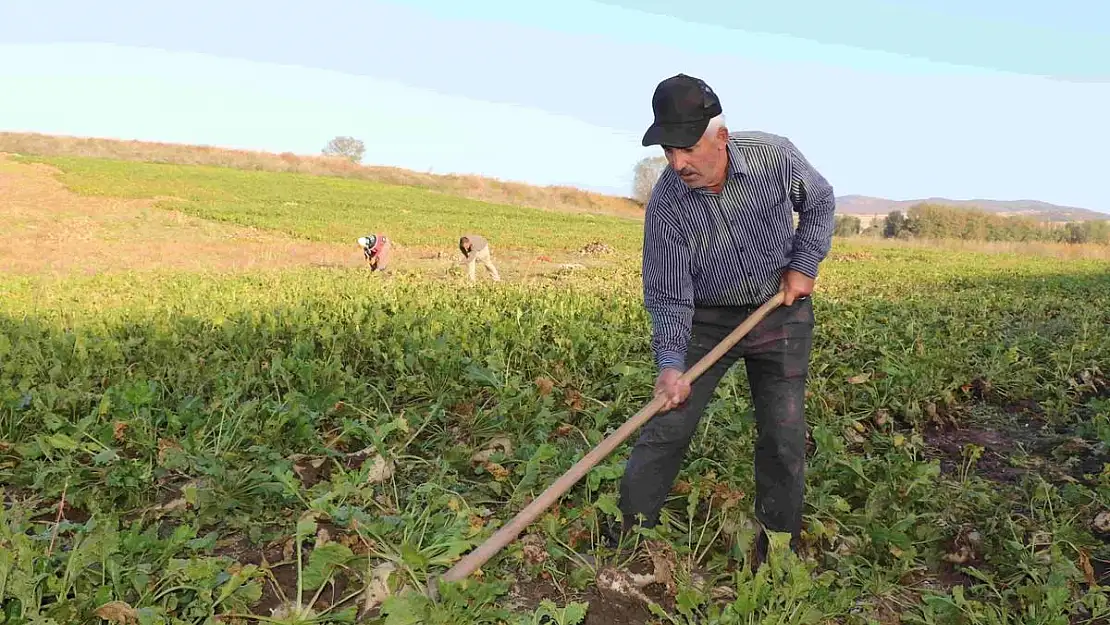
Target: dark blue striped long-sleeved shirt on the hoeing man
{"type": "Point", "coordinates": [703, 249]}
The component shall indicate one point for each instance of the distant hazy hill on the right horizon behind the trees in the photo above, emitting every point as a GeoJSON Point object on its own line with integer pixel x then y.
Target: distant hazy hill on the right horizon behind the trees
{"type": "Point", "coordinates": [1042, 211]}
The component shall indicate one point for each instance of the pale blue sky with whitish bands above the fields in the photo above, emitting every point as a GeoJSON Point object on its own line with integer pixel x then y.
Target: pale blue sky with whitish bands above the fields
{"type": "Point", "coordinates": [902, 99]}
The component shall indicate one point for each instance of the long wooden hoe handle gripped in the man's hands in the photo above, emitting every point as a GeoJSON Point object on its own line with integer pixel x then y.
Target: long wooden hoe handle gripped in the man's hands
{"type": "Point", "coordinates": [472, 561]}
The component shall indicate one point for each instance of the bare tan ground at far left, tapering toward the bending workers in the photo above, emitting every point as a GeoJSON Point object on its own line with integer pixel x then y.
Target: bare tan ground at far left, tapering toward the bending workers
{"type": "Point", "coordinates": [51, 229]}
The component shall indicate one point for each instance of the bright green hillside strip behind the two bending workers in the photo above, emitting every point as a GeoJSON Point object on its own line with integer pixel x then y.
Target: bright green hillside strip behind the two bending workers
{"type": "Point", "coordinates": [340, 210]}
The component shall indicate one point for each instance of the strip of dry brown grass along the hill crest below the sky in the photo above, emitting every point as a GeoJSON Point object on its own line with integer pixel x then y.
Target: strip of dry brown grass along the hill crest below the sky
{"type": "Point", "coordinates": [479, 188]}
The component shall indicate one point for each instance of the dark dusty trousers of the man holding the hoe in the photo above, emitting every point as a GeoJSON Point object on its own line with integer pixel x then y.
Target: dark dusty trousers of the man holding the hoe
{"type": "Point", "coordinates": [776, 355]}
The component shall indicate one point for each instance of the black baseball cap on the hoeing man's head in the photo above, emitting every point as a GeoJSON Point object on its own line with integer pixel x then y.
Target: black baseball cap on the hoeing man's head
{"type": "Point", "coordinates": [683, 107]}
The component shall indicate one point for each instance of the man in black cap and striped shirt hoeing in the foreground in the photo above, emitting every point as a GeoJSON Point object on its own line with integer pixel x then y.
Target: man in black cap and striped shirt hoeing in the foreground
{"type": "Point", "coordinates": [720, 241]}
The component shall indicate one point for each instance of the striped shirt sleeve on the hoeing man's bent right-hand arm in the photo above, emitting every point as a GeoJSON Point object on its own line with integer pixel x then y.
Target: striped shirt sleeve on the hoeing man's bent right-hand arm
{"type": "Point", "coordinates": [815, 203]}
